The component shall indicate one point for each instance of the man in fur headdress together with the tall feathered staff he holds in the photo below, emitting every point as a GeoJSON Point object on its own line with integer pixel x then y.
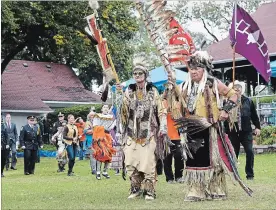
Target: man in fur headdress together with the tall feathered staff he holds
{"type": "Point", "coordinates": [208, 153]}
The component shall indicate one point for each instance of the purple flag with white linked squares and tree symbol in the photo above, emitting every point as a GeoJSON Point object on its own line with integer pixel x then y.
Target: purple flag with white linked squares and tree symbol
{"type": "Point", "coordinates": [249, 42]}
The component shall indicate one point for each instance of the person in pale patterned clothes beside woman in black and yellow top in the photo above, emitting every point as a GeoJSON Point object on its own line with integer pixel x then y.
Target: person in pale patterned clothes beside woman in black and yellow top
{"type": "Point", "coordinates": [57, 139]}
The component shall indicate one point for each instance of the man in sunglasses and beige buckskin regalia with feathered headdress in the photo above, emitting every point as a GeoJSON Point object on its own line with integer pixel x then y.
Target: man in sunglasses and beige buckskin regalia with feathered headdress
{"type": "Point", "coordinates": [143, 121]}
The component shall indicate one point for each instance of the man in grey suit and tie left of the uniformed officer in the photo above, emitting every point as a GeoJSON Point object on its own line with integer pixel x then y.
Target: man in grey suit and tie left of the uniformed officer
{"type": "Point", "coordinates": [13, 138]}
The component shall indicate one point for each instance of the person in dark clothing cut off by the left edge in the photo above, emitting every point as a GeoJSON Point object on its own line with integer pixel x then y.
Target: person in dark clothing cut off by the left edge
{"type": "Point", "coordinates": [4, 147]}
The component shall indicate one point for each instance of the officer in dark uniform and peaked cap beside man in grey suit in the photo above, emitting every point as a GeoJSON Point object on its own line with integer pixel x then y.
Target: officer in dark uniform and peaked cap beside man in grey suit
{"type": "Point", "coordinates": [30, 141]}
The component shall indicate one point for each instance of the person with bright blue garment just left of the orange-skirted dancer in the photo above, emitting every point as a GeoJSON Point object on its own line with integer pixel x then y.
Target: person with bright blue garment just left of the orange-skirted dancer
{"type": "Point", "coordinates": [88, 131]}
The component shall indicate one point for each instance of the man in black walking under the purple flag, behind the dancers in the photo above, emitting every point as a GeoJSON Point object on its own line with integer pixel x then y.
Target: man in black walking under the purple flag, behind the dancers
{"type": "Point", "coordinates": [239, 127]}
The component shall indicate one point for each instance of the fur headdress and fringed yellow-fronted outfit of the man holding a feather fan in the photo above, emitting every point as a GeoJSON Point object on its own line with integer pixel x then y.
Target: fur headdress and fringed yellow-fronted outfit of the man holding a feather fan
{"type": "Point", "coordinates": [205, 172]}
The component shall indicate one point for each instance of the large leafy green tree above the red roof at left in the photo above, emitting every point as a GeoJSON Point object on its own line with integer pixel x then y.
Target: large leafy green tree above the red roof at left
{"type": "Point", "coordinates": [54, 32]}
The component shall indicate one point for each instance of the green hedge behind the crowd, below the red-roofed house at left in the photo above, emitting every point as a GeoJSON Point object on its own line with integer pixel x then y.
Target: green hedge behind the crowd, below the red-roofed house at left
{"type": "Point", "coordinates": [78, 111]}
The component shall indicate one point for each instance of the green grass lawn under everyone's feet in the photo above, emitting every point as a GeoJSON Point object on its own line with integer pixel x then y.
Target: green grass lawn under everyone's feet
{"type": "Point", "coordinates": [49, 190]}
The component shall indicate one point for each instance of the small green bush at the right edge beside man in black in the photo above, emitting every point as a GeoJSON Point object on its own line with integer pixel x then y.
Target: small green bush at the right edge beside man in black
{"type": "Point", "coordinates": [268, 136]}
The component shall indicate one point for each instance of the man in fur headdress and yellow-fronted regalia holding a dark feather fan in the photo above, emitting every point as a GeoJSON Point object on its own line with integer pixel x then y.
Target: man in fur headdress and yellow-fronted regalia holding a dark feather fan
{"type": "Point", "coordinates": [206, 163]}
